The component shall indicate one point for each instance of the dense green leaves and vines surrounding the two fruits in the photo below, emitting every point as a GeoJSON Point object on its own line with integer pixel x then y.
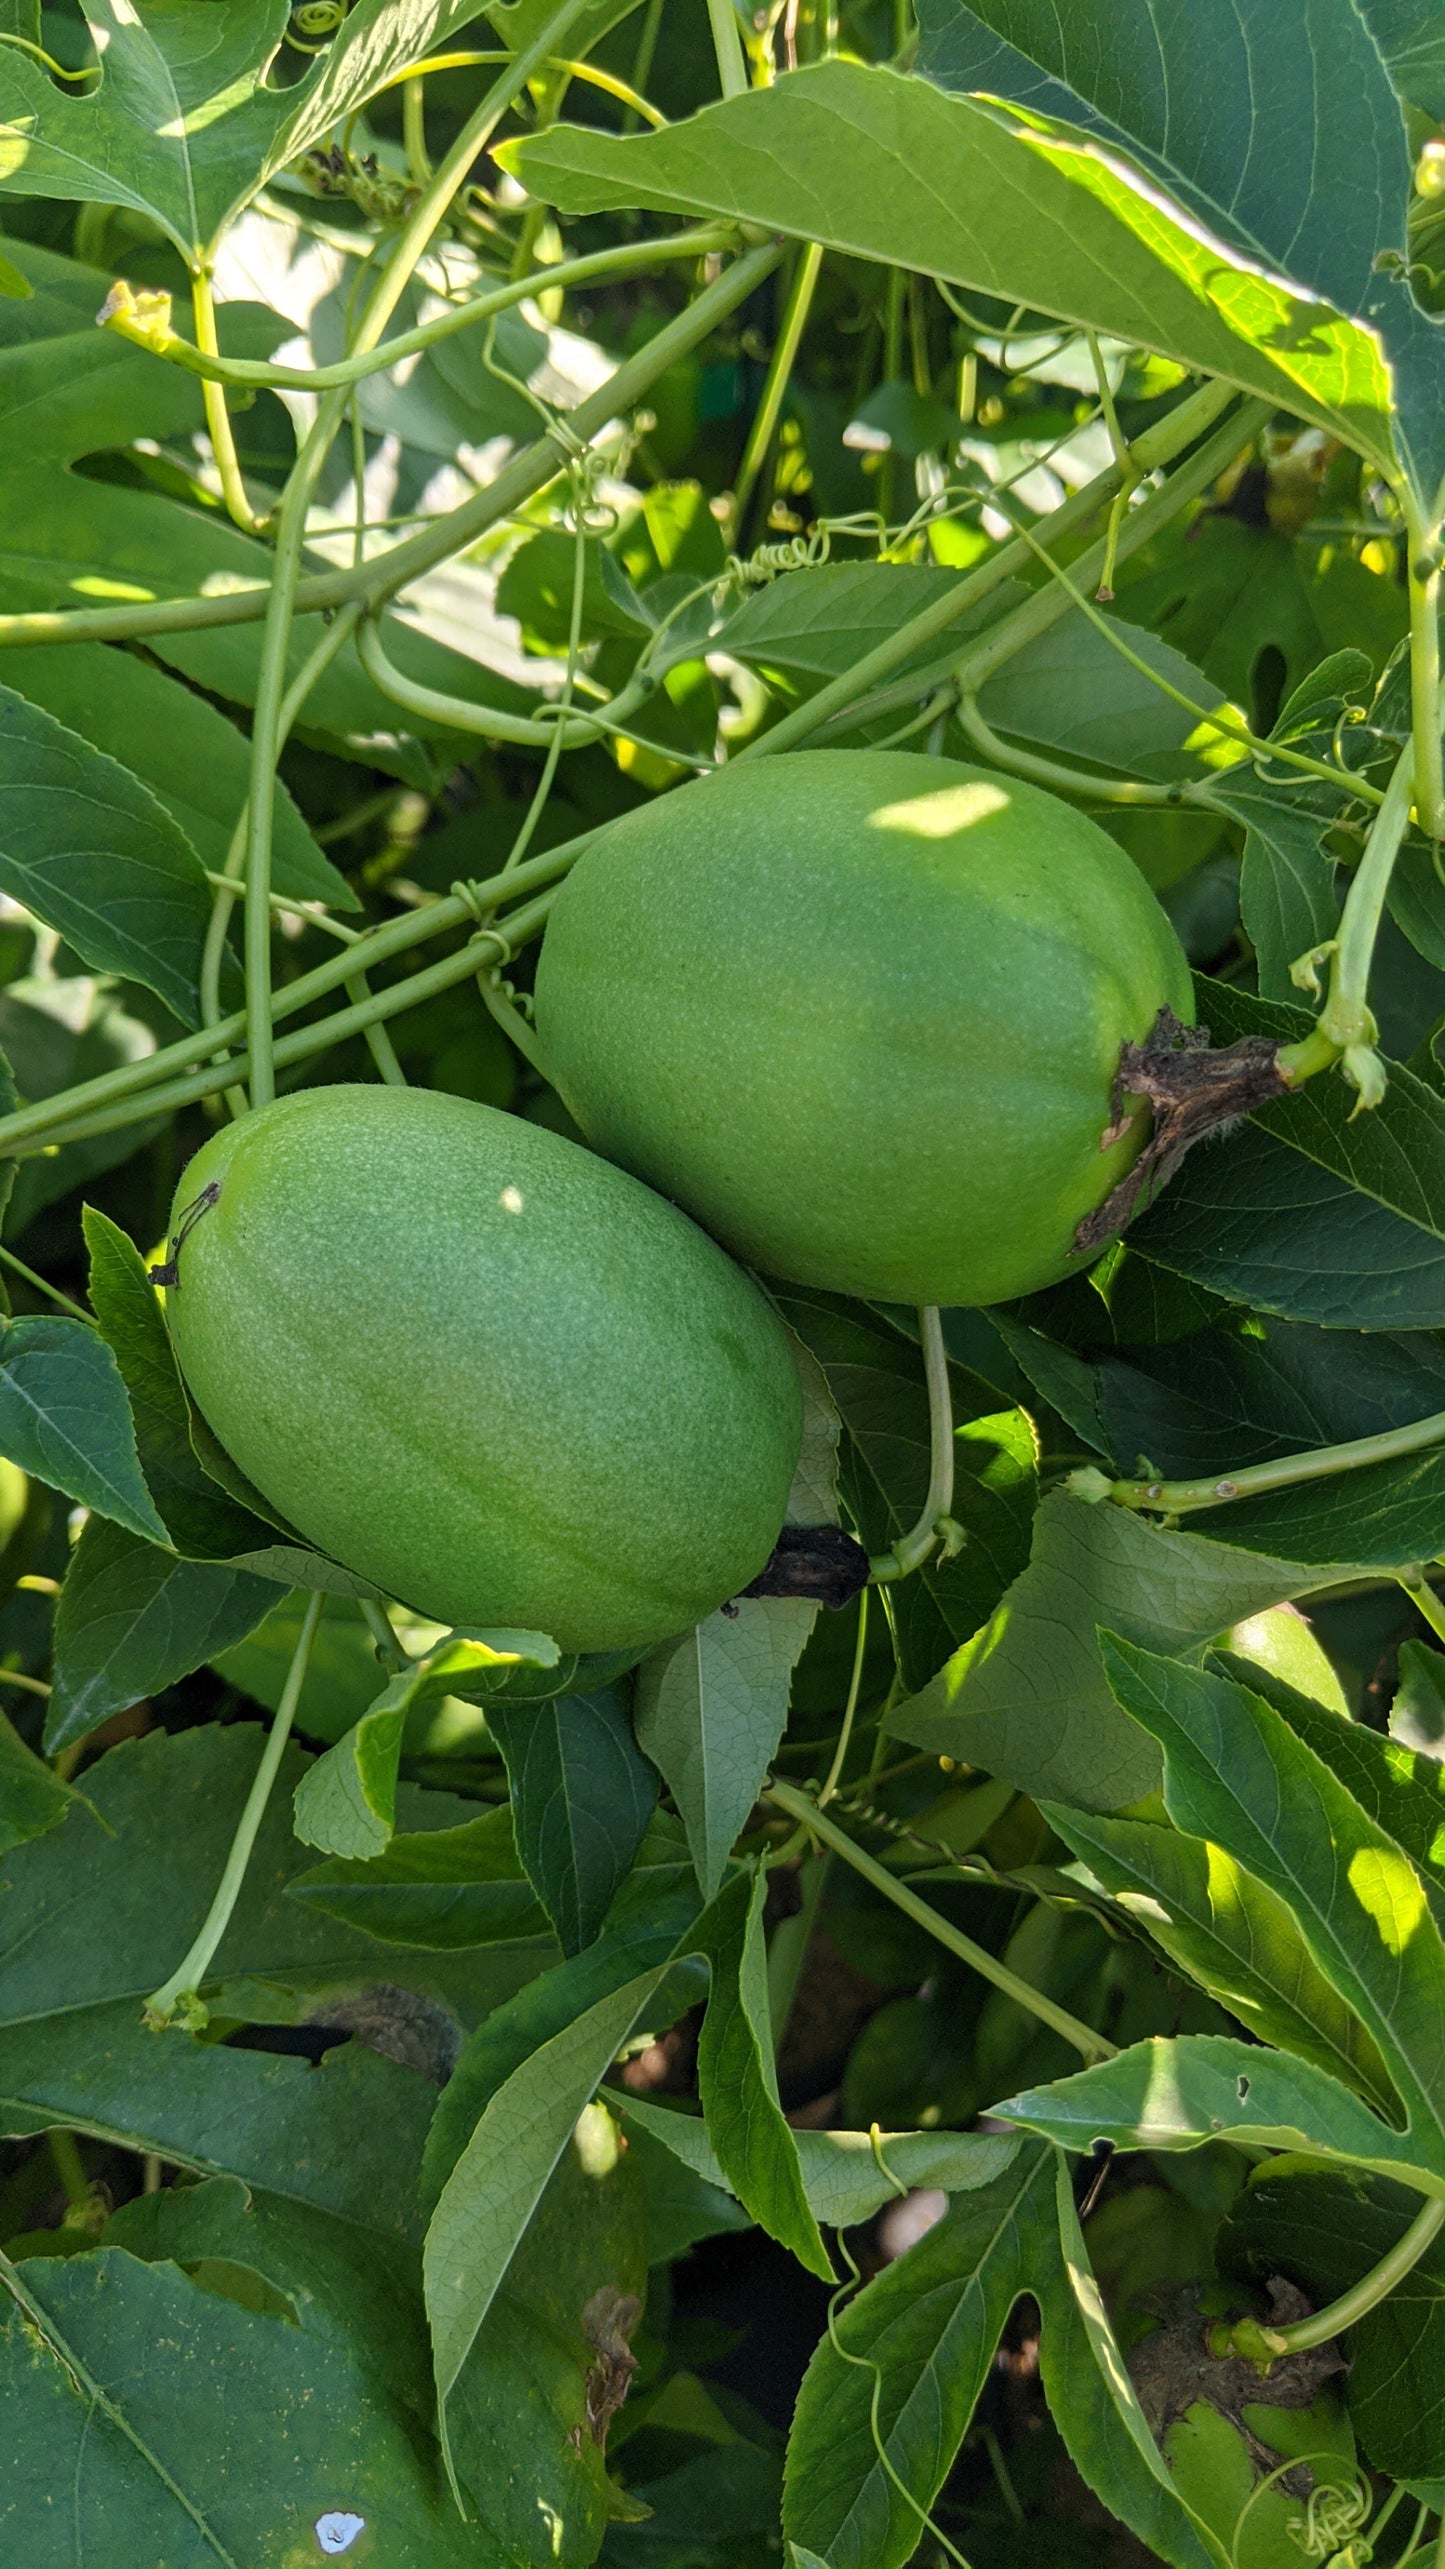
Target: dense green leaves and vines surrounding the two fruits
{"type": "Point", "coordinates": [1048, 389]}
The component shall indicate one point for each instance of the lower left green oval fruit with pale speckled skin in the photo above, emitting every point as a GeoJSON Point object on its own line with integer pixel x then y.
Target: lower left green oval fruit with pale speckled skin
{"type": "Point", "coordinates": [482, 1368]}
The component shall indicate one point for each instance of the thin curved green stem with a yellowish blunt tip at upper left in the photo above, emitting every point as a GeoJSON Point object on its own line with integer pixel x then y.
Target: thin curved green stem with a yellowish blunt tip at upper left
{"type": "Point", "coordinates": [256, 374]}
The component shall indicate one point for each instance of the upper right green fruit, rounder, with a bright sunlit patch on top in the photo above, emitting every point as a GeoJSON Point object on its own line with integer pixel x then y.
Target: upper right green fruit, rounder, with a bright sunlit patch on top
{"type": "Point", "coordinates": [863, 1013]}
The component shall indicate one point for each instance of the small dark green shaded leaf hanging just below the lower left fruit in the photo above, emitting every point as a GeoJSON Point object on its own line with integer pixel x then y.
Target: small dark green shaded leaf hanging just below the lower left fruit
{"type": "Point", "coordinates": [582, 1797]}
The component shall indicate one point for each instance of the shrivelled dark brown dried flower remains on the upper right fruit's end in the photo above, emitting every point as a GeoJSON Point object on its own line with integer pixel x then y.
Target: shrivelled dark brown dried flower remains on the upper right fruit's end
{"type": "Point", "coordinates": [1192, 1091]}
